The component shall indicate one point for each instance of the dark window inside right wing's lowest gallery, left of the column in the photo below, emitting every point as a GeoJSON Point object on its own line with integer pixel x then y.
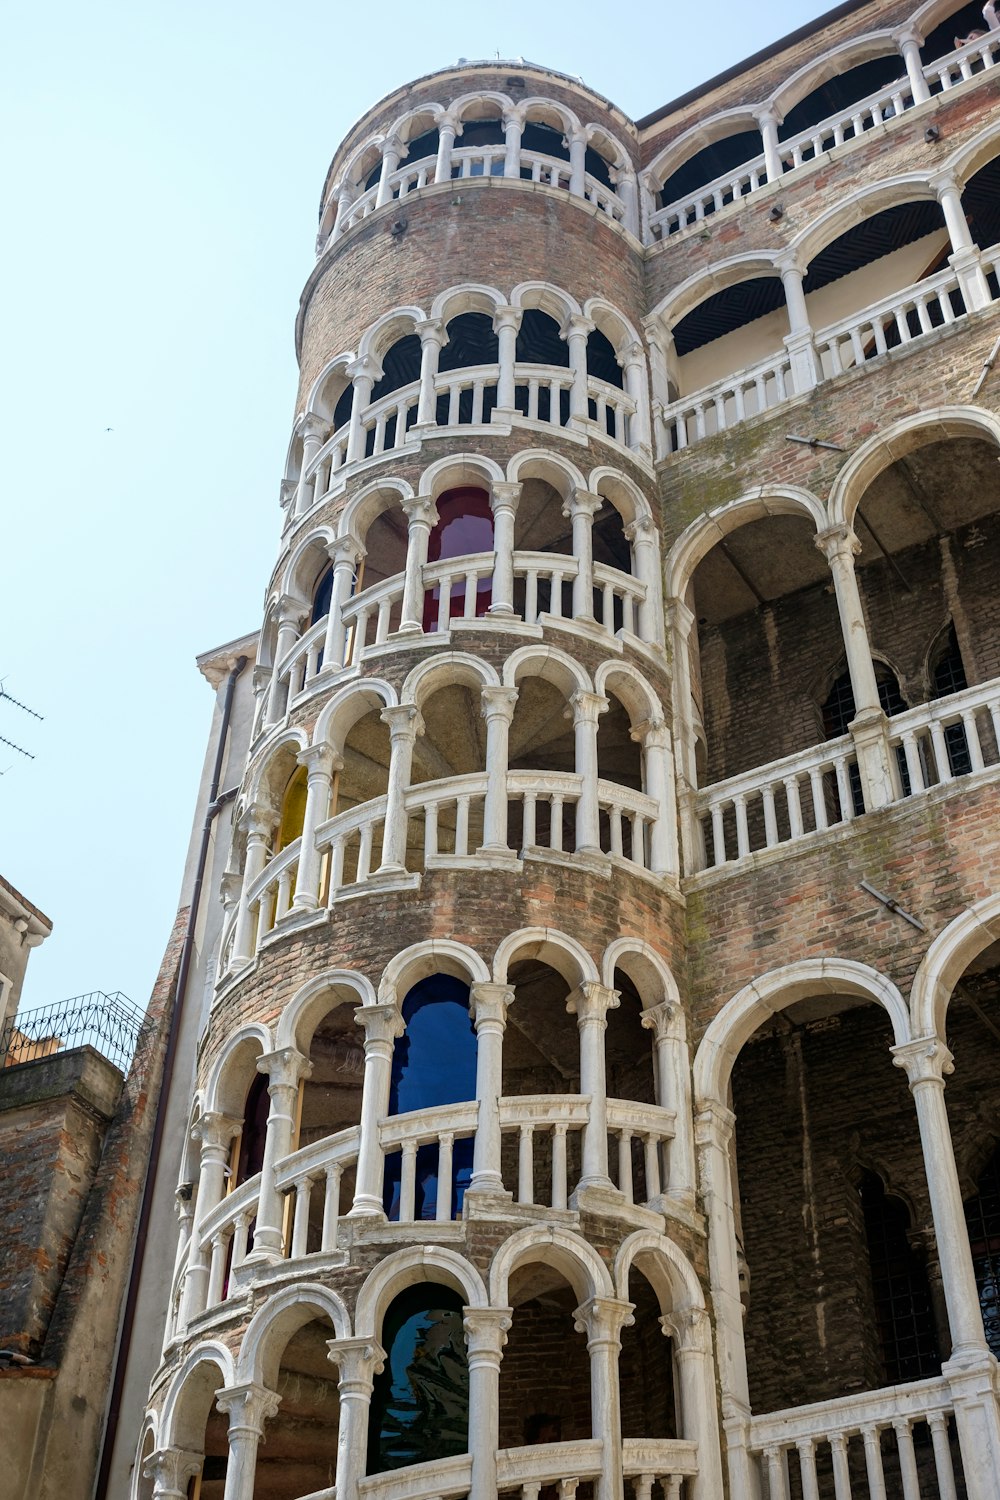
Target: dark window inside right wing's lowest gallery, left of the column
{"type": "Point", "coordinates": [900, 1288]}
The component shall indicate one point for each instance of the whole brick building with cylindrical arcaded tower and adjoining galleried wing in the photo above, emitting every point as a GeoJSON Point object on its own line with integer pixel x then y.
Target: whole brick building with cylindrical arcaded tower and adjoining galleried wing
{"type": "Point", "coordinates": [612, 883]}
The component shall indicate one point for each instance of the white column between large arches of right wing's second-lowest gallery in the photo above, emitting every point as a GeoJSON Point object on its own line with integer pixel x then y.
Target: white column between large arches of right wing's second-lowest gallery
{"type": "Point", "coordinates": [870, 727]}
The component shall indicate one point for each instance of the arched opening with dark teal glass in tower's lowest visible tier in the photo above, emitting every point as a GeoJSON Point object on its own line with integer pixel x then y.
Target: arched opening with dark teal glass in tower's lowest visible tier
{"type": "Point", "coordinates": [421, 1402]}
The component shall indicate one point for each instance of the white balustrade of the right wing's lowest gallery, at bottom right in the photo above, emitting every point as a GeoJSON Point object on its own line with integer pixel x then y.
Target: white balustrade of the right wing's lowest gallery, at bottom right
{"type": "Point", "coordinates": [873, 1432]}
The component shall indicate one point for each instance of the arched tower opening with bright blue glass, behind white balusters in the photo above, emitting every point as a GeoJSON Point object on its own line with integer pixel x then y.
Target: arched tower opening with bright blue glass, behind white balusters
{"type": "Point", "coordinates": [434, 1064]}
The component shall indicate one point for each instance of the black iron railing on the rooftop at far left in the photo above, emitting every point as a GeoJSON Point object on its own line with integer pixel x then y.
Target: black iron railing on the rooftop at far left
{"type": "Point", "coordinates": [110, 1024]}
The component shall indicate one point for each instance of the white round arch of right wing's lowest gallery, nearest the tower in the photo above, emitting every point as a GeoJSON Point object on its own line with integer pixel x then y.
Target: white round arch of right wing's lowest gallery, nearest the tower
{"type": "Point", "coordinates": [774, 992]}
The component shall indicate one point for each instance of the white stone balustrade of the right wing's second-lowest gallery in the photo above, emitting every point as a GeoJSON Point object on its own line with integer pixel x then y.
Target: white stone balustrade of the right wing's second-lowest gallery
{"type": "Point", "coordinates": [818, 788]}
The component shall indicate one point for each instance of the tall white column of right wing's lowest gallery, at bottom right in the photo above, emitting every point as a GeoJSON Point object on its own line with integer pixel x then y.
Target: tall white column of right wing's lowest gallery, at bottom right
{"type": "Point", "coordinates": [971, 1370]}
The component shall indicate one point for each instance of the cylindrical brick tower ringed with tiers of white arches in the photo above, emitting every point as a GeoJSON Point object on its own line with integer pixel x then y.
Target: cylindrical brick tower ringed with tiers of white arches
{"type": "Point", "coordinates": [443, 1225]}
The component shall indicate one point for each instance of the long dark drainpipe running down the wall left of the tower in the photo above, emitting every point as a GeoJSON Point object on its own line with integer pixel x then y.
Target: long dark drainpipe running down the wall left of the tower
{"type": "Point", "coordinates": [184, 970]}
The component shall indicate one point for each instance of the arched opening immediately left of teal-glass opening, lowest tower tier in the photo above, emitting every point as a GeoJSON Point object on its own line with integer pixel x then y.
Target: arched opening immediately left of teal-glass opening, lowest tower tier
{"type": "Point", "coordinates": [299, 1454]}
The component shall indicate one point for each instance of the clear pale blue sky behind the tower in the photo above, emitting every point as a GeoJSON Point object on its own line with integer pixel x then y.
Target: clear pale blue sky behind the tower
{"type": "Point", "coordinates": [163, 173]}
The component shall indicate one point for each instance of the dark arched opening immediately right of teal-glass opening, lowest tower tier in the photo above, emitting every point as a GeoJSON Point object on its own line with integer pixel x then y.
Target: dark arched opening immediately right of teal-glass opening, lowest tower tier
{"type": "Point", "coordinates": [543, 1399]}
